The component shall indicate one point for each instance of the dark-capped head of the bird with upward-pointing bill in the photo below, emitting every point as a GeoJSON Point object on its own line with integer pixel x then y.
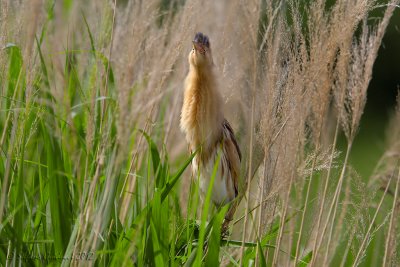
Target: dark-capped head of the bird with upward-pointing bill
{"type": "Point", "coordinates": [200, 56]}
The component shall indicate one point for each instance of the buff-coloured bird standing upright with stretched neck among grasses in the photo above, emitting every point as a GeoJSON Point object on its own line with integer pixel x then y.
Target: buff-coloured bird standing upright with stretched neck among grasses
{"type": "Point", "coordinates": [207, 131]}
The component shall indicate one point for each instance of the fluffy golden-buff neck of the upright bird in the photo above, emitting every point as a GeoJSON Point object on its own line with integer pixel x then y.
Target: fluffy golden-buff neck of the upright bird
{"type": "Point", "coordinates": [201, 117]}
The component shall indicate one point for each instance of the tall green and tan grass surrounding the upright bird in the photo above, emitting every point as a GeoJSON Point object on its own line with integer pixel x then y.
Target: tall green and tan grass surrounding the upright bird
{"type": "Point", "coordinates": [94, 167]}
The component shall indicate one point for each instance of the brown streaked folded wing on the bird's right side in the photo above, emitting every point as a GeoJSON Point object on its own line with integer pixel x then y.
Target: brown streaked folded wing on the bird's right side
{"type": "Point", "coordinates": [232, 153]}
